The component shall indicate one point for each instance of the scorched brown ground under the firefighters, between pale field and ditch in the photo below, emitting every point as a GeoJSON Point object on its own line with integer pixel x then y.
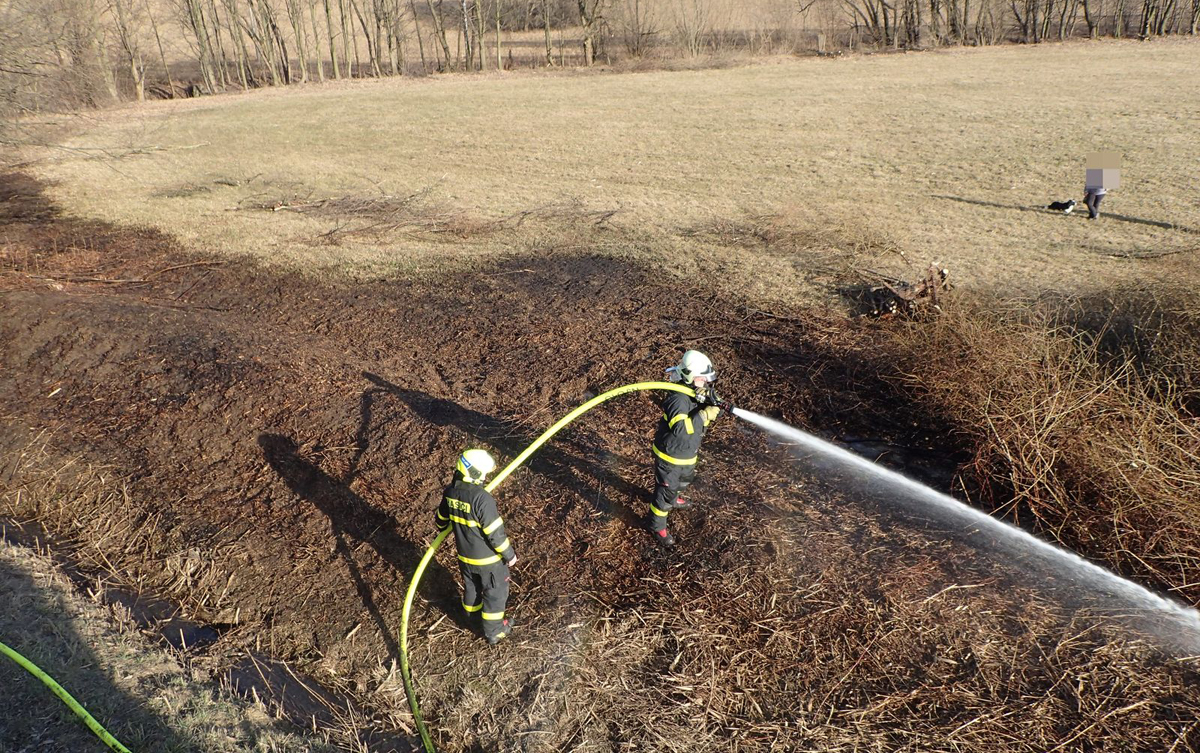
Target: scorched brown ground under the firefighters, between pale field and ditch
{"type": "Point", "coordinates": [283, 441]}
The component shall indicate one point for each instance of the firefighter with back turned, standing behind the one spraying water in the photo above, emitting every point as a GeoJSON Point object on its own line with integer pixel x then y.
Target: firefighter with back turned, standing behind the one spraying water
{"type": "Point", "coordinates": [485, 553]}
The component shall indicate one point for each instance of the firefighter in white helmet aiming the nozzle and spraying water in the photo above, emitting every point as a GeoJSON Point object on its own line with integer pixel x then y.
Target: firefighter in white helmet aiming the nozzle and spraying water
{"type": "Point", "coordinates": [679, 438]}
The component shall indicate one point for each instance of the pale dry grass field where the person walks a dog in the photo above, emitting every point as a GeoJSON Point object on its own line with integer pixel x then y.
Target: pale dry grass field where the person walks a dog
{"type": "Point", "coordinates": [945, 156]}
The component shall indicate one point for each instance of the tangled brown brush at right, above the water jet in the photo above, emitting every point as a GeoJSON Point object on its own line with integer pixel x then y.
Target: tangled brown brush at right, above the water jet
{"type": "Point", "coordinates": [1079, 419]}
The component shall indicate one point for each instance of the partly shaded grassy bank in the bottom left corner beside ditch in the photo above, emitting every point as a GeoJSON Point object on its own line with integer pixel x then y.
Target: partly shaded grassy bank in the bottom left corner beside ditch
{"type": "Point", "coordinates": [137, 690]}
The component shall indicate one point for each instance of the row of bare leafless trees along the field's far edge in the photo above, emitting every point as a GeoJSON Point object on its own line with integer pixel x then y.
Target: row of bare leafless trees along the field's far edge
{"type": "Point", "coordinates": [83, 53]}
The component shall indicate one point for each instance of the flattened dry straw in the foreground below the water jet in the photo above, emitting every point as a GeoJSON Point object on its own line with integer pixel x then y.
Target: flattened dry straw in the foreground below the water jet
{"type": "Point", "coordinates": [766, 654]}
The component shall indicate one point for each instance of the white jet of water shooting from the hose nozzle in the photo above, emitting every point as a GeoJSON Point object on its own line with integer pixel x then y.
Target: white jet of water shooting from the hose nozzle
{"type": "Point", "coordinates": [1183, 622]}
